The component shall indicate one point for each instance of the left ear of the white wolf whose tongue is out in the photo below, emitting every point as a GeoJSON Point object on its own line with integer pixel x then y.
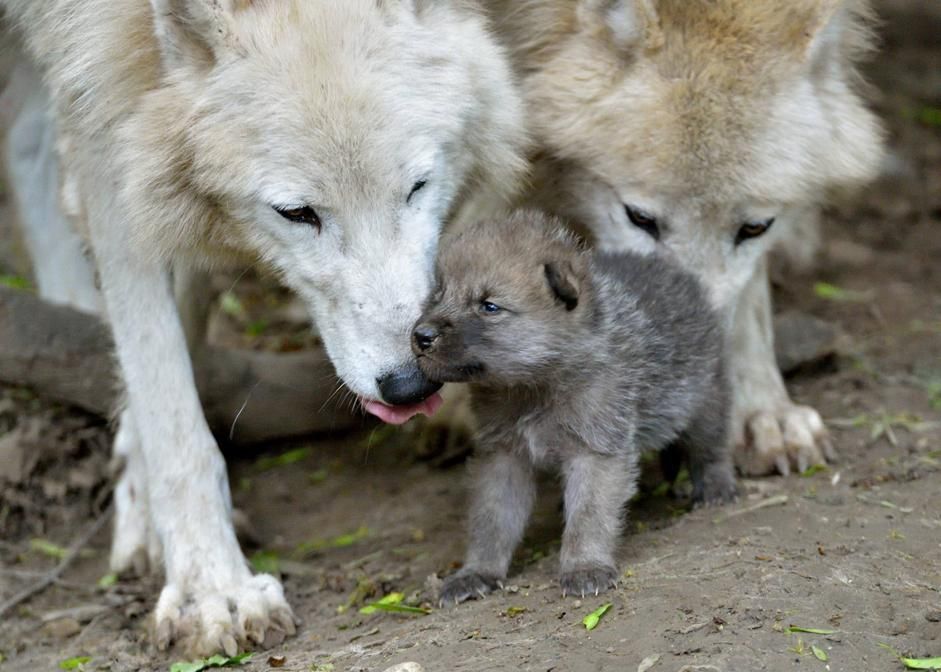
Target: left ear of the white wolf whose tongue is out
{"type": "Point", "coordinates": [193, 33]}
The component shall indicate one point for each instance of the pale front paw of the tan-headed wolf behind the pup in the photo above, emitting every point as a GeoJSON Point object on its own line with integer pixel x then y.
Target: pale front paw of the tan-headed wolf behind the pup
{"type": "Point", "coordinates": [792, 436]}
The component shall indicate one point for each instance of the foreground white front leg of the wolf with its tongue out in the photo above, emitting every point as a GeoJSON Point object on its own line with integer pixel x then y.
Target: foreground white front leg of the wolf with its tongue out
{"type": "Point", "coordinates": [211, 601]}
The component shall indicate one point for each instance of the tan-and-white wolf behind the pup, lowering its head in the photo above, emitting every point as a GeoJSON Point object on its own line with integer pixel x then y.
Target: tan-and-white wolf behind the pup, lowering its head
{"type": "Point", "coordinates": [694, 125]}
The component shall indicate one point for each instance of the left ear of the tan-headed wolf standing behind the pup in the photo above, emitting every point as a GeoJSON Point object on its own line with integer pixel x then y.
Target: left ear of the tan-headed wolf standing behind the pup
{"type": "Point", "coordinates": [629, 24]}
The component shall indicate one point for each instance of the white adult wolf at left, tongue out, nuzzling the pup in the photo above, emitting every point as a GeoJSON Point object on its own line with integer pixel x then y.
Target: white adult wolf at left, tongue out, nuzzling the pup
{"type": "Point", "coordinates": [329, 140]}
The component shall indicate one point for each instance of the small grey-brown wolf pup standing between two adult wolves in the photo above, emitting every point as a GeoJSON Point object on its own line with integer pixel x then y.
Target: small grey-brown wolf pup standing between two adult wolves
{"type": "Point", "coordinates": [575, 359]}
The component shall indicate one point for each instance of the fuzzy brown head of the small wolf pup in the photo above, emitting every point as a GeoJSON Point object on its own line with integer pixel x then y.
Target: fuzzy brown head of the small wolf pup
{"type": "Point", "coordinates": [509, 304]}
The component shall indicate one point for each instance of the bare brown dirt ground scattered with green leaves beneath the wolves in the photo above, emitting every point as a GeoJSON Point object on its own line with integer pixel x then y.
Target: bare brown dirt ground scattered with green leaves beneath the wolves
{"type": "Point", "coordinates": [854, 549]}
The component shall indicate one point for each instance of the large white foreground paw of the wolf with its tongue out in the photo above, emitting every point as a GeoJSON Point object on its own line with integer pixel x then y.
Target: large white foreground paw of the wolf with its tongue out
{"type": "Point", "coordinates": [206, 620]}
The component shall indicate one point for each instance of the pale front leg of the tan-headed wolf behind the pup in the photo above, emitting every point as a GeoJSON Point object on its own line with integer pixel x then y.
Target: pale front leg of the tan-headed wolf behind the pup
{"type": "Point", "coordinates": [771, 432]}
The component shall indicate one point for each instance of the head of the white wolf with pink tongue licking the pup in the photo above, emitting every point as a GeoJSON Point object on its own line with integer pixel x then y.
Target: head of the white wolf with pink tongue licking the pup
{"type": "Point", "coordinates": [331, 140]}
